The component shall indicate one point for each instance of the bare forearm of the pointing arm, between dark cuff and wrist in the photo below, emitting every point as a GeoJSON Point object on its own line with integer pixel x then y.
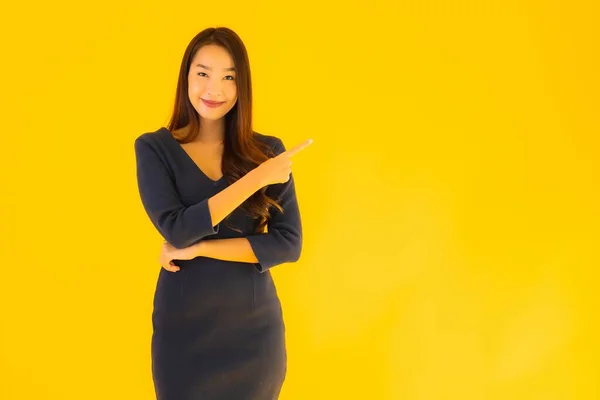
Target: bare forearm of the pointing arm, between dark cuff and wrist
{"type": "Point", "coordinates": [226, 201]}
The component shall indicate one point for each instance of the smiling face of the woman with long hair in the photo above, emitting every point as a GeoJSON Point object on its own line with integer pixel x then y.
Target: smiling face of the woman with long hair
{"type": "Point", "coordinates": [212, 78]}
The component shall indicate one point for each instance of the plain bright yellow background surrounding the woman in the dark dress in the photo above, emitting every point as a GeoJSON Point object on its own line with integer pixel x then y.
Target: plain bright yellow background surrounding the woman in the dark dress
{"type": "Point", "coordinates": [450, 200]}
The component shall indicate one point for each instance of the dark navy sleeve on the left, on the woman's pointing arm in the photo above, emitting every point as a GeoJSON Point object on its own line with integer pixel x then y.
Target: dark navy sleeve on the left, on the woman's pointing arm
{"type": "Point", "coordinates": [179, 225]}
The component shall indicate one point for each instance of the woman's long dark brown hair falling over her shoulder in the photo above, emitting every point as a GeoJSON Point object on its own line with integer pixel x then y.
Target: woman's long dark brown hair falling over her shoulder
{"type": "Point", "coordinates": [243, 151]}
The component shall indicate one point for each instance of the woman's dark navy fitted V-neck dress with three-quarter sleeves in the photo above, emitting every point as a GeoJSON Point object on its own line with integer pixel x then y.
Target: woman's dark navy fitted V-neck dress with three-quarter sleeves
{"type": "Point", "coordinates": [218, 330]}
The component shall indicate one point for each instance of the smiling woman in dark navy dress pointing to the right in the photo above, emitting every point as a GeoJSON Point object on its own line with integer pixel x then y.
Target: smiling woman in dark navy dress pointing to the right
{"type": "Point", "coordinates": [211, 187]}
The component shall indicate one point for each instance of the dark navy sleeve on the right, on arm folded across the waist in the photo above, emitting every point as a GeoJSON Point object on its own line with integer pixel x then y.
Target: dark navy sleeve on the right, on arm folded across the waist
{"type": "Point", "coordinates": [283, 241]}
